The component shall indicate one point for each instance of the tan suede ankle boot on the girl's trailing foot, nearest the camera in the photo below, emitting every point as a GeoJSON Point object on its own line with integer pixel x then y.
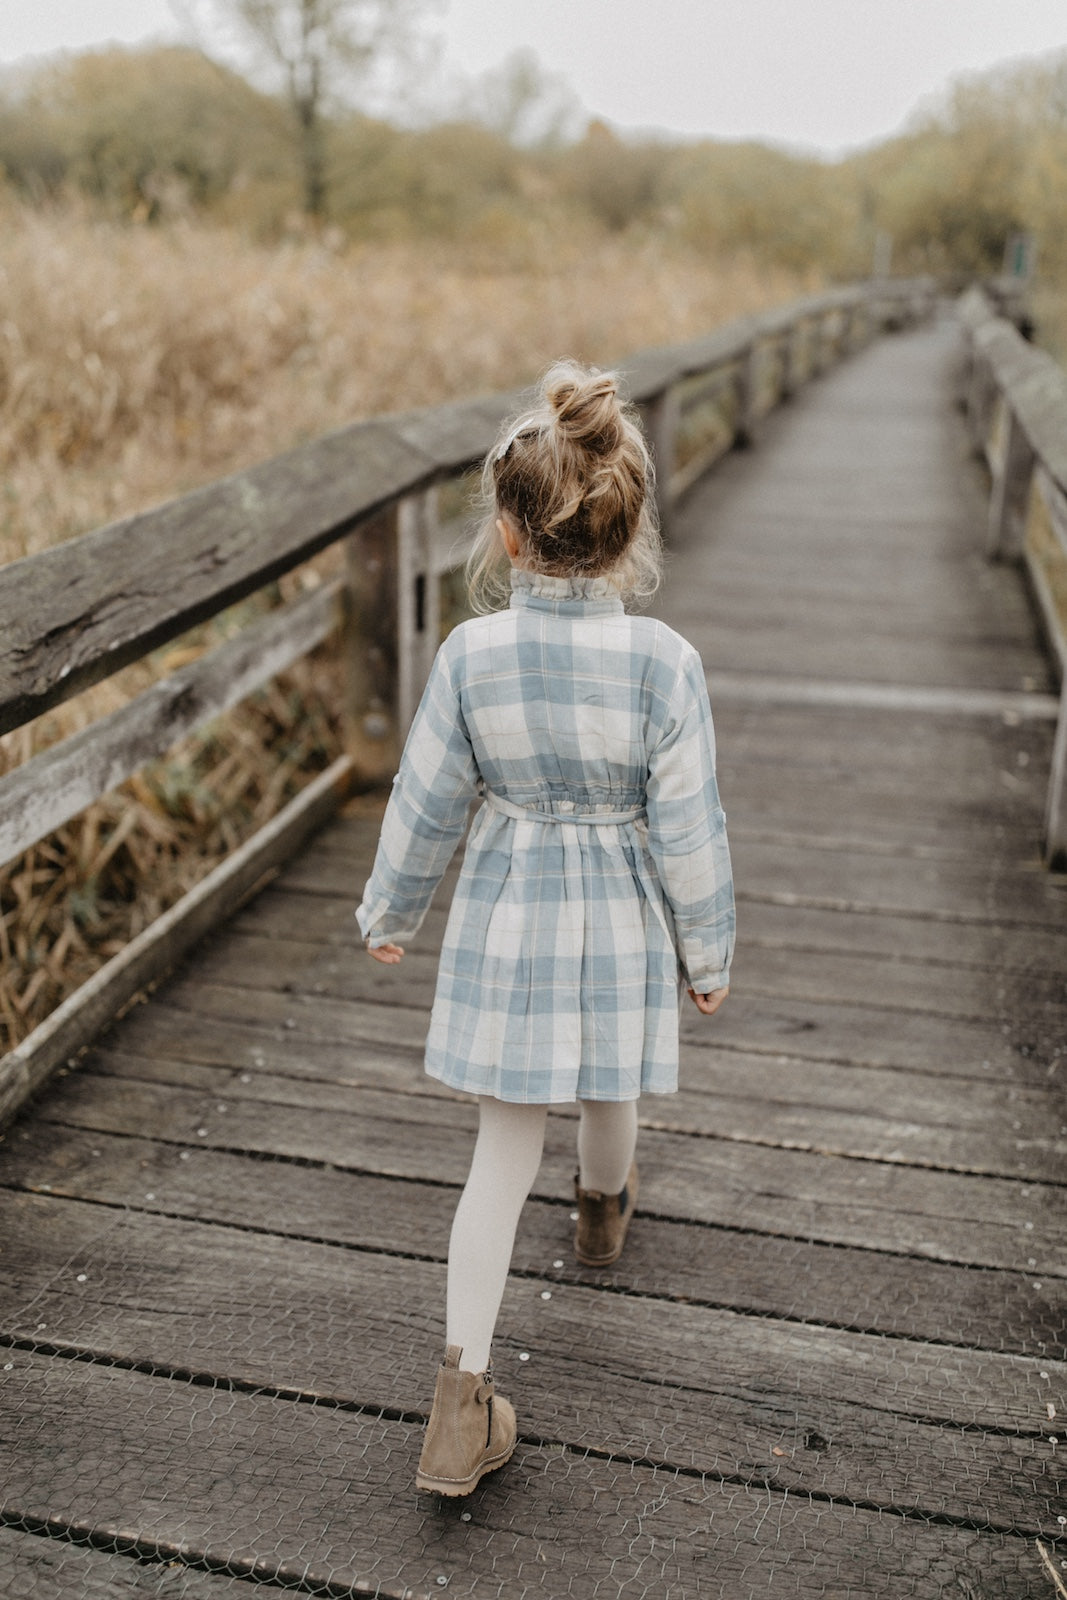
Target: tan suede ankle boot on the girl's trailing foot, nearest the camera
{"type": "Point", "coordinates": [471, 1431]}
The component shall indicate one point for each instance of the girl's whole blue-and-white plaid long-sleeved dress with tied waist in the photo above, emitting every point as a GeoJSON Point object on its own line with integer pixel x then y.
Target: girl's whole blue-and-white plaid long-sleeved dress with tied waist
{"type": "Point", "coordinates": [596, 879]}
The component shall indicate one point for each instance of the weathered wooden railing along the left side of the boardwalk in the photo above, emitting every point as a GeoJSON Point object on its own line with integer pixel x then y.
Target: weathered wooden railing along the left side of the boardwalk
{"type": "Point", "coordinates": [81, 612]}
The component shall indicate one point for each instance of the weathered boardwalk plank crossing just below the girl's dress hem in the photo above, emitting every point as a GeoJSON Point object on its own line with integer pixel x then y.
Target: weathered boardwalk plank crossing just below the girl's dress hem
{"type": "Point", "coordinates": [948, 1217]}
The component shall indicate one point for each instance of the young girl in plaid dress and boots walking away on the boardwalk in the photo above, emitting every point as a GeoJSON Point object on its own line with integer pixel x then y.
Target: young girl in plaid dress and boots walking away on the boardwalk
{"type": "Point", "coordinates": [596, 881]}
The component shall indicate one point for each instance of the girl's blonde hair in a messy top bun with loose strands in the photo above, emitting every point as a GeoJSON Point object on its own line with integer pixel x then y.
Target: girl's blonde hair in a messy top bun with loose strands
{"type": "Point", "coordinates": [575, 481]}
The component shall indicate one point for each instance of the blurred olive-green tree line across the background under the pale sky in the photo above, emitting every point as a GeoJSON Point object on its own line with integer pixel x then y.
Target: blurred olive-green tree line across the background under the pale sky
{"type": "Point", "coordinates": [158, 134]}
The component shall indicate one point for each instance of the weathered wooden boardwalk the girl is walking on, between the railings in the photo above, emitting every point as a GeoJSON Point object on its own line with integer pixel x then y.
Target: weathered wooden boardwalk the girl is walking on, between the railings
{"type": "Point", "coordinates": [831, 1362]}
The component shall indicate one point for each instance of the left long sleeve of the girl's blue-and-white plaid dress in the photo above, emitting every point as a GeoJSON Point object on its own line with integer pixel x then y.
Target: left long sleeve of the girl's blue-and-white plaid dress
{"type": "Point", "coordinates": [426, 815]}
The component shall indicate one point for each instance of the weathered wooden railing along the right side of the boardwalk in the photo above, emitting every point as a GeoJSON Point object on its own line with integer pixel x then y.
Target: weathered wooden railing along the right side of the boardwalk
{"type": "Point", "coordinates": [1017, 409]}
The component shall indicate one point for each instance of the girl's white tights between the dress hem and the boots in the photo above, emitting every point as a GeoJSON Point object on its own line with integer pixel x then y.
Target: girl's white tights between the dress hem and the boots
{"type": "Point", "coordinates": [505, 1166]}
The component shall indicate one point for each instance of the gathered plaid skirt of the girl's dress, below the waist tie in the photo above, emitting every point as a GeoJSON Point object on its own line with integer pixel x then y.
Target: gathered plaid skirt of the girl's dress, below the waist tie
{"type": "Point", "coordinates": [559, 975]}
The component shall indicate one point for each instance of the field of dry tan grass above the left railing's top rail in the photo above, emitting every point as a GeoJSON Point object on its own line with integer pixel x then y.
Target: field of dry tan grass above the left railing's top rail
{"type": "Point", "coordinates": [137, 364]}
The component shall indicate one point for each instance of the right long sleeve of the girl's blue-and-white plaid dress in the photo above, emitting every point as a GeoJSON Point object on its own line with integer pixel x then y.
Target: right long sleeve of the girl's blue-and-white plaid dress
{"type": "Point", "coordinates": [687, 833]}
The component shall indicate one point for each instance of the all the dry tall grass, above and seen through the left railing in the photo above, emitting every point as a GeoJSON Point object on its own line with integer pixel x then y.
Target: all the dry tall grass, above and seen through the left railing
{"type": "Point", "coordinates": [138, 364]}
